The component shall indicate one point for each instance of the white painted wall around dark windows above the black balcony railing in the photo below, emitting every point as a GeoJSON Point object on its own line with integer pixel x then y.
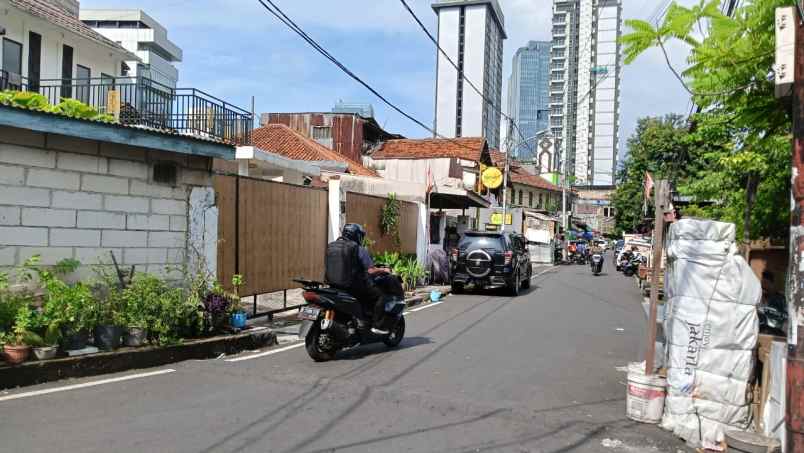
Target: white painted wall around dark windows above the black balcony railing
{"type": "Point", "coordinates": [99, 58]}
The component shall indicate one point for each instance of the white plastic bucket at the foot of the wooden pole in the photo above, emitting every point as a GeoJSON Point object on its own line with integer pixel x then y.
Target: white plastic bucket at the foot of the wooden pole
{"type": "Point", "coordinates": [645, 400]}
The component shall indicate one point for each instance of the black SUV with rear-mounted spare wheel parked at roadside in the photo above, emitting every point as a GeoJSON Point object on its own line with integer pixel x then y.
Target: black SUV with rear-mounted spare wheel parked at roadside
{"type": "Point", "coordinates": [489, 258]}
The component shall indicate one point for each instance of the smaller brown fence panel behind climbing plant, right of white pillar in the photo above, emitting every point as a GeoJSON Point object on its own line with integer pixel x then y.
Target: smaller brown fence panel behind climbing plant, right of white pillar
{"type": "Point", "coordinates": [365, 210]}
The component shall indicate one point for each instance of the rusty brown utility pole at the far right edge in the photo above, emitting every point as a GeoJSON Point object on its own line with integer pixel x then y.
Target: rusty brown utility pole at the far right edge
{"type": "Point", "coordinates": [795, 362]}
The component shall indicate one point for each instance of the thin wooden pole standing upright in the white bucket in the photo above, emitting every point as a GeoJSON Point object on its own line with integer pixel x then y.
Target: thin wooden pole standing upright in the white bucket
{"type": "Point", "coordinates": [661, 204]}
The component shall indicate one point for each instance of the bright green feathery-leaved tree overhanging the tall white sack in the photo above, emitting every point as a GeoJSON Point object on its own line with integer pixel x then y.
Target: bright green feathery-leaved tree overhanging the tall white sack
{"type": "Point", "coordinates": [742, 133]}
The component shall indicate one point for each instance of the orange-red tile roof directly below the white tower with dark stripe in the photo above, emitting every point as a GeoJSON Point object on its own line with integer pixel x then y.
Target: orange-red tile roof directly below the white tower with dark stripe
{"type": "Point", "coordinates": [467, 148]}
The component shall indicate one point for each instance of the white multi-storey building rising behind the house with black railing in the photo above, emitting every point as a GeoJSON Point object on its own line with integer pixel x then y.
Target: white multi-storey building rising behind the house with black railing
{"type": "Point", "coordinates": [141, 35]}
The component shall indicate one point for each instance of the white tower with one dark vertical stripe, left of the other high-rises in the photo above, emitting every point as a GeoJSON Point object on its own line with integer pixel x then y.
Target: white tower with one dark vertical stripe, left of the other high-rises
{"type": "Point", "coordinates": [471, 33]}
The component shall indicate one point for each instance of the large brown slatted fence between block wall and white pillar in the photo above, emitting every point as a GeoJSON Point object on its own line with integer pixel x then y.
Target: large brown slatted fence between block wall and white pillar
{"type": "Point", "coordinates": [270, 233]}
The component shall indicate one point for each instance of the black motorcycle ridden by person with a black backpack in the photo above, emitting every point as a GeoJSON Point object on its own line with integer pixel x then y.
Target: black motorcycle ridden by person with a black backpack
{"type": "Point", "coordinates": [330, 320]}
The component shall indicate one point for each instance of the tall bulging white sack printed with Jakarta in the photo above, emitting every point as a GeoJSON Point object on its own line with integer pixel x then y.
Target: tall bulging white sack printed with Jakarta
{"type": "Point", "coordinates": [711, 328]}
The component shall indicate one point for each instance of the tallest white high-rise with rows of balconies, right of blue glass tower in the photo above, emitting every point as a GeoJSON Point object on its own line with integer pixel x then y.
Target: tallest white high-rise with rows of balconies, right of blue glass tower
{"type": "Point", "coordinates": [585, 87]}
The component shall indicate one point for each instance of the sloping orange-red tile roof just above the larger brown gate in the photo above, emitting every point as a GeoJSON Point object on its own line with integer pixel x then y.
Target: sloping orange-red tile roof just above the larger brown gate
{"type": "Point", "coordinates": [280, 139]}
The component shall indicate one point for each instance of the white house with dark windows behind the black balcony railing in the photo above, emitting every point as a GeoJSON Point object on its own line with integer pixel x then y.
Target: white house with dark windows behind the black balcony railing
{"type": "Point", "coordinates": [43, 43]}
